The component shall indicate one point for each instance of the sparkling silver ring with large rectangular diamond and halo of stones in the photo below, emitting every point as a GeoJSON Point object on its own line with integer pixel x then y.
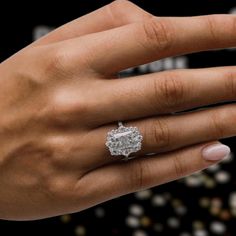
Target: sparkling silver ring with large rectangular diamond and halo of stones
{"type": "Point", "coordinates": [124, 141]}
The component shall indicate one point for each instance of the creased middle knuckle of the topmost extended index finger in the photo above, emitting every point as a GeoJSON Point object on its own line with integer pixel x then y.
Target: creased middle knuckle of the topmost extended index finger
{"type": "Point", "coordinates": [158, 33]}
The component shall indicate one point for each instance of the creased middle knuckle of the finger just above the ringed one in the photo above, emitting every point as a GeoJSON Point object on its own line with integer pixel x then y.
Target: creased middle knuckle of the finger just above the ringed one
{"type": "Point", "coordinates": [172, 91]}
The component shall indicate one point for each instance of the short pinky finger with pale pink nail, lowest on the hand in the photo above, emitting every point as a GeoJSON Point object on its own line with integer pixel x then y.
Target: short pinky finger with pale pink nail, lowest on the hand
{"type": "Point", "coordinates": [137, 174]}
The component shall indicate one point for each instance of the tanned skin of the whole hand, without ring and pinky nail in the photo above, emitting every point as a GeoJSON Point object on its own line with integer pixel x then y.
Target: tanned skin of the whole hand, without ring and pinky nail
{"type": "Point", "coordinates": [60, 96]}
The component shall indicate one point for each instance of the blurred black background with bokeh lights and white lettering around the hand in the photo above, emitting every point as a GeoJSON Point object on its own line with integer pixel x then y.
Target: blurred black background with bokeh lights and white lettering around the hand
{"type": "Point", "coordinates": [203, 204]}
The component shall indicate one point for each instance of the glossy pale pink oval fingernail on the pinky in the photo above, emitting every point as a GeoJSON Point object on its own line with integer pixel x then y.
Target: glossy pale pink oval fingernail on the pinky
{"type": "Point", "coordinates": [215, 152]}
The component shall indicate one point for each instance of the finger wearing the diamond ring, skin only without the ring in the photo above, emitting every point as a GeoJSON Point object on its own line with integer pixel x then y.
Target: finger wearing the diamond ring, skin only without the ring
{"type": "Point", "coordinates": [171, 132]}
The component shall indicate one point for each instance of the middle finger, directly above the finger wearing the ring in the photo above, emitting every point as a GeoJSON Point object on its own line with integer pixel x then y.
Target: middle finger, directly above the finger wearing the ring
{"type": "Point", "coordinates": [161, 93]}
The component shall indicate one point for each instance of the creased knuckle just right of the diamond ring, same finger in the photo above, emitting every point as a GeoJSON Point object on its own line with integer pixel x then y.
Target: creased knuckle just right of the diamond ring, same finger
{"type": "Point", "coordinates": [161, 133]}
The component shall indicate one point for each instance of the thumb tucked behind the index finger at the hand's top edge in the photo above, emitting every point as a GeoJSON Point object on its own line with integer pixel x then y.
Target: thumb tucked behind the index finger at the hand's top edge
{"type": "Point", "coordinates": [115, 14]}
